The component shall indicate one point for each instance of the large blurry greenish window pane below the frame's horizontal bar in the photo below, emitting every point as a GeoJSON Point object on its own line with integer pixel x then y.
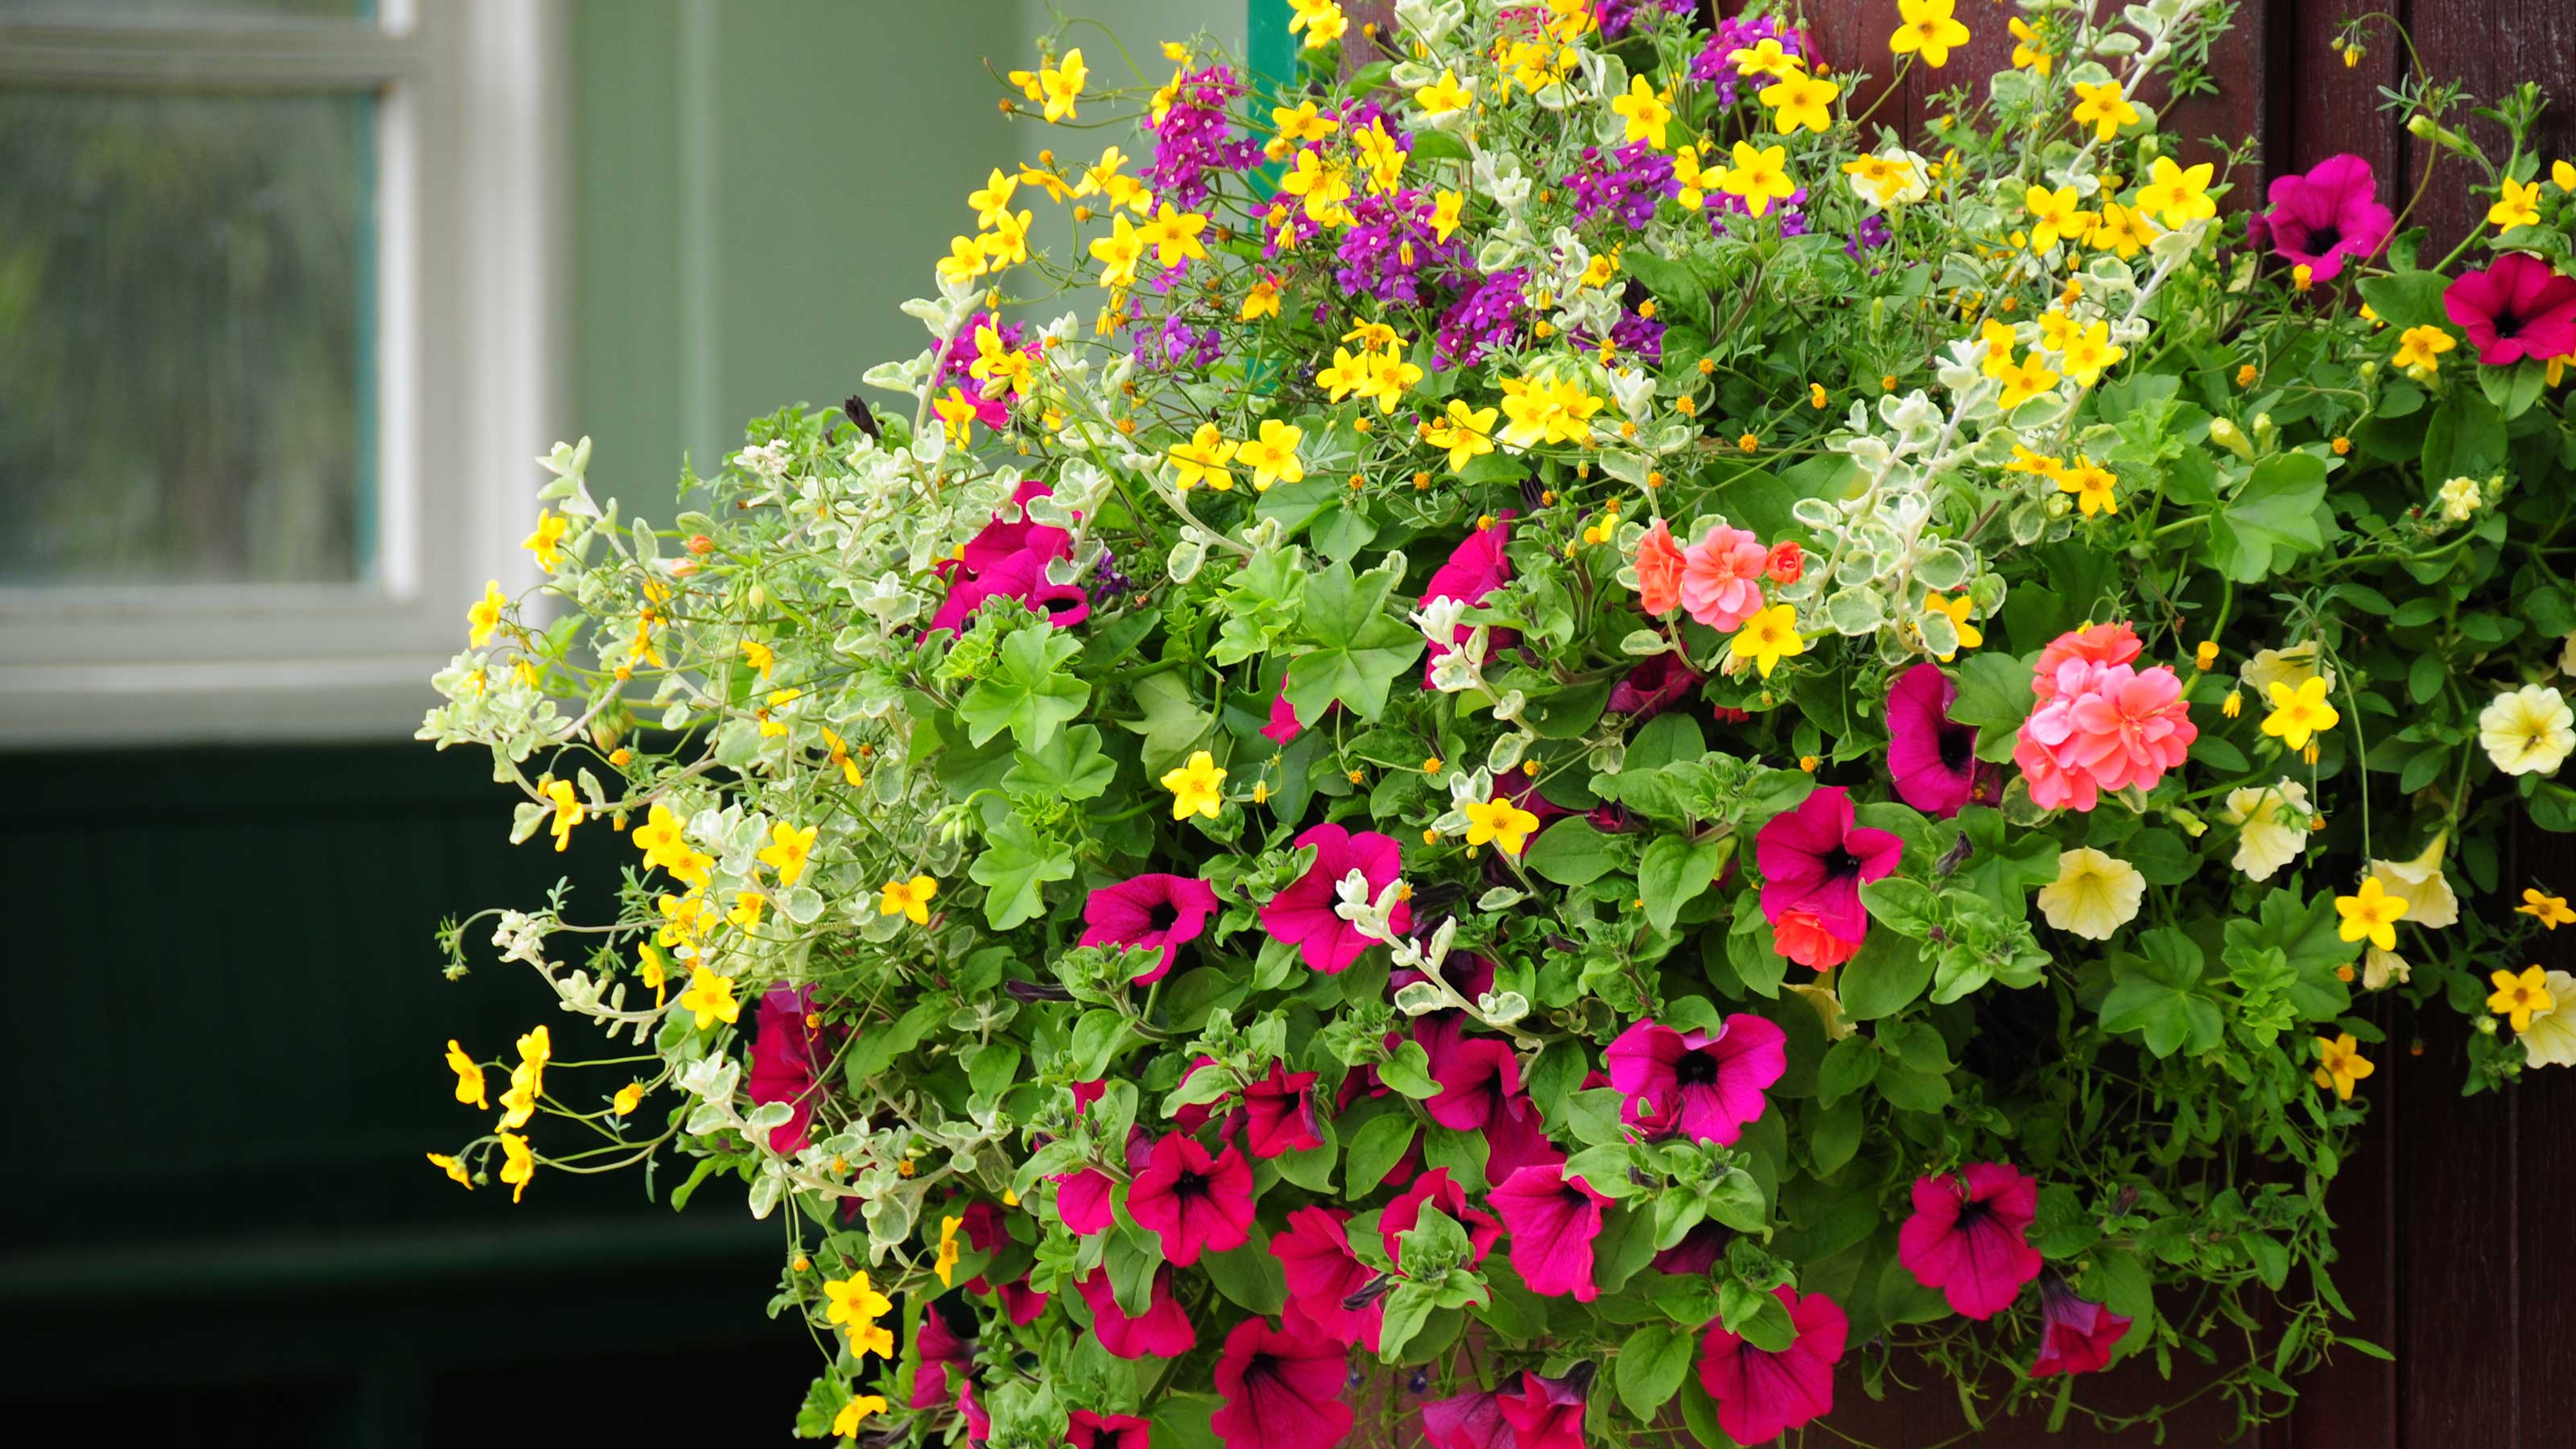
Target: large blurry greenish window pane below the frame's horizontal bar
{"type": "Point", "coordinates": [187, 339]}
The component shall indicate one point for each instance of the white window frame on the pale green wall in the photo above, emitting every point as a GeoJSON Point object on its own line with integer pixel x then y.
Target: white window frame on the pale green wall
{"type": "Point", "coordinates": [470, 161]}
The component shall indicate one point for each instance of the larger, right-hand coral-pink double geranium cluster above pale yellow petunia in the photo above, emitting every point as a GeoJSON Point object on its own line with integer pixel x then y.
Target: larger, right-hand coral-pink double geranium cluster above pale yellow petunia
{"type": "Point", "coordinates": [2103, 728]}
